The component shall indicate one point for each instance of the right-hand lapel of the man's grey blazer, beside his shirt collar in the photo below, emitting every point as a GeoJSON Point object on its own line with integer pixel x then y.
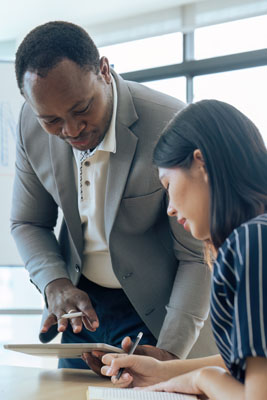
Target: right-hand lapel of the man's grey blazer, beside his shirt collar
{"type": "Point", "coordinates": [121, 161]}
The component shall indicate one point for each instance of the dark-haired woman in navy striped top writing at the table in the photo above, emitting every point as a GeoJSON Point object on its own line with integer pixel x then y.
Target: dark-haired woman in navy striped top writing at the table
{"type": "Point", "coordinates": [213, 163]}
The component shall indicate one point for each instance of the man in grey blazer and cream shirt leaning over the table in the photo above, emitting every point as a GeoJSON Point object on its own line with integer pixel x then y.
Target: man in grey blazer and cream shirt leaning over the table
{"type": "Point", "coordinates": [85, 145]}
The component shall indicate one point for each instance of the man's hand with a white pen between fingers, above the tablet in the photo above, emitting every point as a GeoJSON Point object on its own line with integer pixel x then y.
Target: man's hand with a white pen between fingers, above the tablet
{"type": "Point", "coordinates": [63, 297]}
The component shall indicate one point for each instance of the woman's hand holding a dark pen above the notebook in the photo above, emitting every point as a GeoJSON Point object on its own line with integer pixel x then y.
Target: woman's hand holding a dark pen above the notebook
{"type": "Point", "coordinates": [138, 370]}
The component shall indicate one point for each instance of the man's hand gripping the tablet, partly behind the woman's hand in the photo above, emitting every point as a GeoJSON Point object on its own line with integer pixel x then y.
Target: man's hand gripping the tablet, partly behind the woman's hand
{"type": "Point", "coordinates": [94, 359]}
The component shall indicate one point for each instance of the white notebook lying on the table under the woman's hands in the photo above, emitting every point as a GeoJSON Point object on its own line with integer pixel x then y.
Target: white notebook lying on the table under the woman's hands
{"type": "Point", "coordinates": [105, 393]}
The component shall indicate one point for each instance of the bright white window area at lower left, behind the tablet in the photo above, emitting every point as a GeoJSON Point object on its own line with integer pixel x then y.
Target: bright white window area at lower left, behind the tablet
{"type": "Point", "coordinates": [17, 294]}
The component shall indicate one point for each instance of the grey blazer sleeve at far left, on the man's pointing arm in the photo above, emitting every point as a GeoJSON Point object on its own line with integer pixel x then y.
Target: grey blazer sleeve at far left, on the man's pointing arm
{"type": "Point", "coordinates": [33, 218]}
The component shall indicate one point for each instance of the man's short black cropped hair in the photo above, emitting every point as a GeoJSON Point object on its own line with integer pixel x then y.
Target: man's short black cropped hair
{"type": "Point", "coordinates": [48, 44]}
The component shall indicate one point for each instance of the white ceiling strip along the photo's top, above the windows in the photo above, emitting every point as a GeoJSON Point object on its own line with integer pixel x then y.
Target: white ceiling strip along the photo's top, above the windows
{"type": "Point", "coordinates": [115, 21]}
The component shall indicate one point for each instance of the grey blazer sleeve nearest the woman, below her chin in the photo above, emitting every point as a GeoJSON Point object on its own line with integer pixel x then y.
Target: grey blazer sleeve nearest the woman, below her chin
{"type": "Point", "coordinates": [188, 306]}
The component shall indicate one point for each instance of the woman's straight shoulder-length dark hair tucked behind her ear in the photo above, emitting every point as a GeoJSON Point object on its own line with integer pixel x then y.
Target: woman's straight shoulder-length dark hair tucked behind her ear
{"type": "Point", "coordinates": [235, 160]}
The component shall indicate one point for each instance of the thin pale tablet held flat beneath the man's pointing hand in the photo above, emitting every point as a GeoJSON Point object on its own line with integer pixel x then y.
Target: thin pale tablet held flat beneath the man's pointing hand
{"type": "Point", "coordinates": [65, 350]}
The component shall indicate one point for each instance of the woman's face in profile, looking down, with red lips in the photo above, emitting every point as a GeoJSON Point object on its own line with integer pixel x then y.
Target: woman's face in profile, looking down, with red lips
{"type": "Point", "coordinates": [189, 197]}
